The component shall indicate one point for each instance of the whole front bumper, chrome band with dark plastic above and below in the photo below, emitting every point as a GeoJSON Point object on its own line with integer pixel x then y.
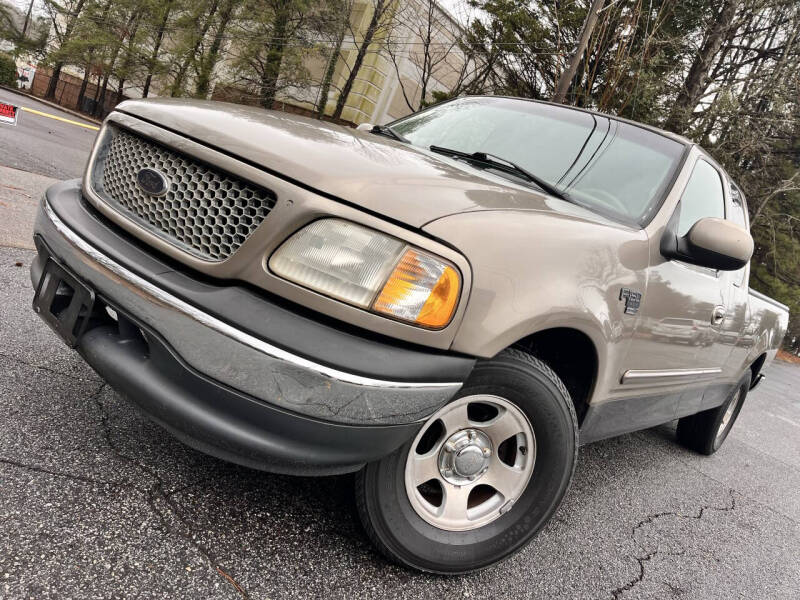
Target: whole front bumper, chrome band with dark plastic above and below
{"type": "Point", "coordinates": [201, 366]}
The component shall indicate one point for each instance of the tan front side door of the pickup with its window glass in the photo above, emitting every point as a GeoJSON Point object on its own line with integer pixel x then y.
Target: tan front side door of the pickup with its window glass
{"type": "Point", "coordinates": [677, 349]}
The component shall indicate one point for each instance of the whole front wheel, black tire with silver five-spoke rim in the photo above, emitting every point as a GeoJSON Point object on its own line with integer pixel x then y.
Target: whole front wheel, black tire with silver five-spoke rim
{"type": "Point", "coordinates": [481, 477]}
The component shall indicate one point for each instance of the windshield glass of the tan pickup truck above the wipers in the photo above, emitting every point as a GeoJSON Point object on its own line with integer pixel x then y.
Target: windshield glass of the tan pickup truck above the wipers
{"type": "Point", "coordinates": [613, 167]}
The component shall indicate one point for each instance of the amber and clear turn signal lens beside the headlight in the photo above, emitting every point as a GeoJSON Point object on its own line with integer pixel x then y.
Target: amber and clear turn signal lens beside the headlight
{"type": "Point", "coordinates": [422, 289]}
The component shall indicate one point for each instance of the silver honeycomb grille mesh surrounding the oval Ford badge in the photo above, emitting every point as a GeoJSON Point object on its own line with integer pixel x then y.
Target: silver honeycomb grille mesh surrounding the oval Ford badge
{"type": "Point", "coordinates": [205, 212]}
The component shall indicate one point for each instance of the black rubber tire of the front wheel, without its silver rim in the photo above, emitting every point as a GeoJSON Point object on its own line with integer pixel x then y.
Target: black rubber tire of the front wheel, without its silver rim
{"type": "Point", "coordinates": [415, 542]}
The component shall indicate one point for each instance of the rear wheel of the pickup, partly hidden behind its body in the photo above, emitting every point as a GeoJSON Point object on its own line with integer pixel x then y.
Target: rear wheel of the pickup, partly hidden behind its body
{"type": "Point", "coordinates": [706, 431]}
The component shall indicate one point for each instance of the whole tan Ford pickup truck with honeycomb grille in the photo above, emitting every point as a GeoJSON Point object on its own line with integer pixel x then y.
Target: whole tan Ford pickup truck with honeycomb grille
{"type": "Point", "coordinates": [446, 306]}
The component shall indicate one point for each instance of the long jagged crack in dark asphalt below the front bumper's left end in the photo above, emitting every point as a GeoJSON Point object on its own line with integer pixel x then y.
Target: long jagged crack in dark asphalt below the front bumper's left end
{"type": "Point", "coordinates": [161, 502]}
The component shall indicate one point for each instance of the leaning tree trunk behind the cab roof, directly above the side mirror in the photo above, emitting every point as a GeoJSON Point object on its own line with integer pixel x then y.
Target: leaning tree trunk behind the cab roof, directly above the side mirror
{"type": "Point", "coordinates": [697, 78]}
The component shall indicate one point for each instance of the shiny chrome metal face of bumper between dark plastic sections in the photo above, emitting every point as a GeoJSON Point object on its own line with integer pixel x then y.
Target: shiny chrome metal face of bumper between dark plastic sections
{"type": "Point", "coordinates": [235, 358]}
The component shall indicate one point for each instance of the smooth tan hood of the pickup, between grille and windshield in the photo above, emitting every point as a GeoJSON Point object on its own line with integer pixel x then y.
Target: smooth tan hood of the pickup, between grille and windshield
{"type": "Point", "coordinates": [404, 183]}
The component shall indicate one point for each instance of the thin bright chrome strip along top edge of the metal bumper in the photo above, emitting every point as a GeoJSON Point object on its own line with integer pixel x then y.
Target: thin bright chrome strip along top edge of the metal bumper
{"type": "Point", "coordinates": [222, 327]}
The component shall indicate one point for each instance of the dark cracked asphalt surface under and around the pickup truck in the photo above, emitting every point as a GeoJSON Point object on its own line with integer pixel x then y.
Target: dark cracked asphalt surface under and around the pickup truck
{"type": "Point", "coordinates": [98, 502]}
